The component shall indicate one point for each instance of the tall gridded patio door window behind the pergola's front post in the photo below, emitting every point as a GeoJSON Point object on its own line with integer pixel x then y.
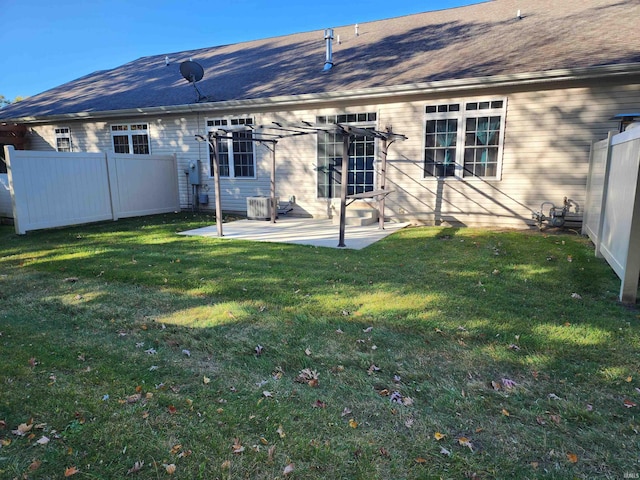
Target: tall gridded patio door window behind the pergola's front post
{"type": "Point", "coordinates": [360, 177]}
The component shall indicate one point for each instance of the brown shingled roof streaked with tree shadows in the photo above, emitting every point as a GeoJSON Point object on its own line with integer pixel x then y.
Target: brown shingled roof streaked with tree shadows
{"type": "Point", "coordinates": [480, 41]}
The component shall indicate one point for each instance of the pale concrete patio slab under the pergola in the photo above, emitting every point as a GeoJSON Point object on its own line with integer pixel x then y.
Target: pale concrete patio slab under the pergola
{"type": "Point", "coordinates": [302, 231]}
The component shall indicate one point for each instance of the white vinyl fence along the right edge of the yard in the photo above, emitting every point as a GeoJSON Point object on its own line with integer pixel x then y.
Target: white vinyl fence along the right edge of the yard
{"type": "Point", "coordinates": [612, 213]}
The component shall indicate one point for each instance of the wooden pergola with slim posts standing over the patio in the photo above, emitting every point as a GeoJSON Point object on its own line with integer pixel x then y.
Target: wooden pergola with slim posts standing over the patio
{"type": "Point", "coordinates": [269, 135]}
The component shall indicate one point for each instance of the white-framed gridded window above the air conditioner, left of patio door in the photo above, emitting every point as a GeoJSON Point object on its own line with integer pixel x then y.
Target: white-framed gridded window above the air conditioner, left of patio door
{"type": "Point", "coordinates": [236, 158]}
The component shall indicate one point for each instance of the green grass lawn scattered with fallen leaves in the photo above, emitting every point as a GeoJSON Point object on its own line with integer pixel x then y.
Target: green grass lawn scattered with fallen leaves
{"type": "Point", "coordinates": [123, 343]}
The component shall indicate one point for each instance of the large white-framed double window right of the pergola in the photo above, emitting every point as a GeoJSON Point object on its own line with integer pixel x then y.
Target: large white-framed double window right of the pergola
{"type": "Point", "coordinates": [464, 139]}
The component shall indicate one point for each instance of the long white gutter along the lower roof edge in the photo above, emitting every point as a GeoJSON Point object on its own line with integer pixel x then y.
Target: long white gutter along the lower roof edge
{"type": "Point", "coordinates": [365, 94]}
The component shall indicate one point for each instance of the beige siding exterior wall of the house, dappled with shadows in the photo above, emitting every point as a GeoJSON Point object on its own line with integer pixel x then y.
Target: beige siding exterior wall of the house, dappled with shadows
{"type": "Point", "coordinates": [545, 157]}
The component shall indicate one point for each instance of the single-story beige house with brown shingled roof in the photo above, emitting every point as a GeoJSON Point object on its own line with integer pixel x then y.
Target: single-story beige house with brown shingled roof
{"type": "Point", "coordinates": [499, 101]}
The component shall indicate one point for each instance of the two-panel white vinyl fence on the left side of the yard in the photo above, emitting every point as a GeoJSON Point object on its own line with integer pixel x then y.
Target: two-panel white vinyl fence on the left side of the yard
{"type": "Point", "coordinates": [52, 189]}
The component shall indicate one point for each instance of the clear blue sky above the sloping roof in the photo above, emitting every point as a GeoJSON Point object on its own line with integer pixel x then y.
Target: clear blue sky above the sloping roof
{"type": "Point", "coordinates": [47, 43]}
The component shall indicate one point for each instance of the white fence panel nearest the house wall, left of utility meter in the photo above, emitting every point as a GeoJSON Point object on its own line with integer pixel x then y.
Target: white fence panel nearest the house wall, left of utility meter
{"type": "Point", "coordinates": [143, 184]}
